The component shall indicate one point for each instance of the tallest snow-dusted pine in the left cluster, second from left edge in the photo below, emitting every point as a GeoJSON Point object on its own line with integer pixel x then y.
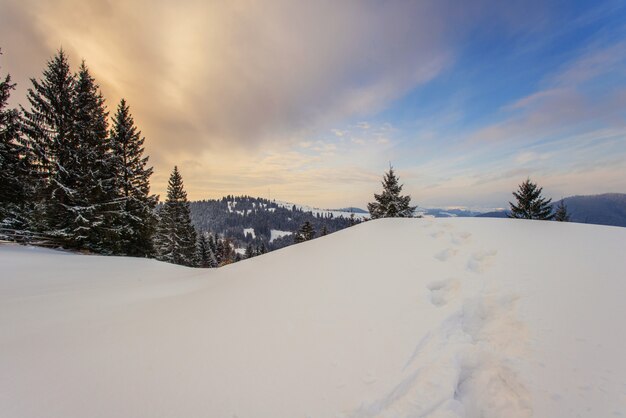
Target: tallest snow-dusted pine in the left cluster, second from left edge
{"type": "Point", "coordinates": [49, 127]}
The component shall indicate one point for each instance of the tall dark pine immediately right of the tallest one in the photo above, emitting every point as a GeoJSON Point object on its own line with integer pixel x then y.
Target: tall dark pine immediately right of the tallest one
{"type": "Point", "coordinates": [96, 203]}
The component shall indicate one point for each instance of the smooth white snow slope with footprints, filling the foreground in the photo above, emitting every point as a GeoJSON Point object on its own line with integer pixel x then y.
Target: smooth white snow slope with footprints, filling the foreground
{"type": "Point", "coordinates": [391, 318]}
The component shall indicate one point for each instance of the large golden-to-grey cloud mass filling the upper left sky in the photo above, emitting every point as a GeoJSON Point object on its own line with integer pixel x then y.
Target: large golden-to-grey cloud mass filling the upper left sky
{"type": "Point", "coordinates": [240, 71]}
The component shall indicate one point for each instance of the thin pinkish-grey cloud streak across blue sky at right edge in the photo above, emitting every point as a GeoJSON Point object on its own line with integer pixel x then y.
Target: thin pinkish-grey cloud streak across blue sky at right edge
{"type": "Point", "coordinates": [575, 98]}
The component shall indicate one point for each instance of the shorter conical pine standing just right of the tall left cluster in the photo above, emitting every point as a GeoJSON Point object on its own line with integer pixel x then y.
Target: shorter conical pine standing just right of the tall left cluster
{"type": "Point", "coordinates": [176, 236]}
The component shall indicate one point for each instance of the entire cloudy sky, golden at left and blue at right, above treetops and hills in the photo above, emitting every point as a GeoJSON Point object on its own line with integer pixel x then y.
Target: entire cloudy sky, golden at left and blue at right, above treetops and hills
{"type": "Point", "coordinates": [311, 101]}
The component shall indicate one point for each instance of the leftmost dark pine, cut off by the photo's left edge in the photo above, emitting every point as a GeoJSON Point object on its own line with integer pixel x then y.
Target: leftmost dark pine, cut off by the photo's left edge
{"type": "Point", "coordinates": [13, 164]}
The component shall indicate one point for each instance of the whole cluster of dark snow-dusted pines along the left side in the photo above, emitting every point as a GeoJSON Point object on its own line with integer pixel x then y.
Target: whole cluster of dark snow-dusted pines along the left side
{"type": "Point", "coordinates": [72, 177]}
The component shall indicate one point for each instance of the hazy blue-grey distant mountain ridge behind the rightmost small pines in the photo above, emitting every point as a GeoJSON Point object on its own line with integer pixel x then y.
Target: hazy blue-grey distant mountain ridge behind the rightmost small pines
{"type": "Point", "coordinates": [602, 209]}
